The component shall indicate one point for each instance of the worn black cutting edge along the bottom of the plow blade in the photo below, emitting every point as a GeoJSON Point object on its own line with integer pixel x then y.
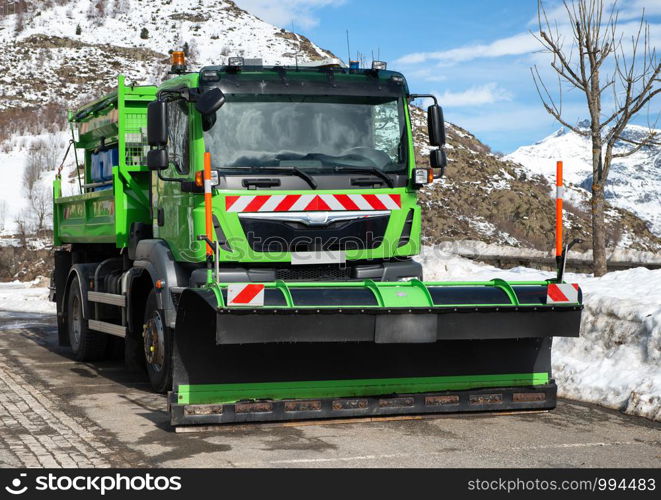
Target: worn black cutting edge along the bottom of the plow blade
{"type": "Point", "coordinates": [538, 397]}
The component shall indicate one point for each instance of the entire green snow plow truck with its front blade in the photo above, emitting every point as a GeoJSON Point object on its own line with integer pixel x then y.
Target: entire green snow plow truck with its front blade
{"type": "Point", "coordinates": [246, 233]}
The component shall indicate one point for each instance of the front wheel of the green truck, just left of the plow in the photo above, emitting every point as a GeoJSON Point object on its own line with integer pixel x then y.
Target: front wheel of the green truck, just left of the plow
{"type": "Point", "coordinates": [158, 346]}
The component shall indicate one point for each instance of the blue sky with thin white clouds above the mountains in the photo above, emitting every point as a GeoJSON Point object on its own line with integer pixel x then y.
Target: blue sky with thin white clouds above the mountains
{"type": "Point", "coordinates": [474, 54]}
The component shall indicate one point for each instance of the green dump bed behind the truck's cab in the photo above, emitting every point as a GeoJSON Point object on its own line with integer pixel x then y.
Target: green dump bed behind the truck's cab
{"type": "Point", "coordinates": [112, 131]}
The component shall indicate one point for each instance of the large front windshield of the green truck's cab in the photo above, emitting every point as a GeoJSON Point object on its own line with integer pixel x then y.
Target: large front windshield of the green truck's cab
{"type": "Point", "coordinates": [311, 133]}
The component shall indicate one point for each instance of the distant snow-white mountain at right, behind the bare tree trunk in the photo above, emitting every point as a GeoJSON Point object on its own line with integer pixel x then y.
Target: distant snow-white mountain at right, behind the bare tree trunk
{"type": "Point", "coordinates": [634, 182]}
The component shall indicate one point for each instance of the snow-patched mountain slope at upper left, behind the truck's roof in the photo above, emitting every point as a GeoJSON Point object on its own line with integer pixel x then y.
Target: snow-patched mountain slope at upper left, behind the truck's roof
{"type": "Point", "coordinates": [68, 50]}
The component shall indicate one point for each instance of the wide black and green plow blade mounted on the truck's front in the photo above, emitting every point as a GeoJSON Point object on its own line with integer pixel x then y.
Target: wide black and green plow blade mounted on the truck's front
{"type": "Point", "coordinates": [351, 349]}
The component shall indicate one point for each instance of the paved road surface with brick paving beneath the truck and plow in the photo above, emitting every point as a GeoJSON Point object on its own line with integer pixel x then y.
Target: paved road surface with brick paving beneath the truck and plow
{"type": "Point", "coordinates": [58, 412]}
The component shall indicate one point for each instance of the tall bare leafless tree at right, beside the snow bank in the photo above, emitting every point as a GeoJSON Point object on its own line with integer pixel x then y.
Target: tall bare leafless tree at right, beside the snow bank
{"type": "Point", "coordinates": [601, 64]}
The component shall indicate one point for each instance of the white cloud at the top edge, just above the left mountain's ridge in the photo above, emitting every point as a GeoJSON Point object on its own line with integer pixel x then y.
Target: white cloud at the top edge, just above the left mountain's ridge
{"type": "Point", "coordinates": [283, 12]}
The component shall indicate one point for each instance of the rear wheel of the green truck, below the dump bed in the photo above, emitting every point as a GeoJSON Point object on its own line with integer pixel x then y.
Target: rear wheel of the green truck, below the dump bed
{"type": "Point", "coordinates": [85, 344]}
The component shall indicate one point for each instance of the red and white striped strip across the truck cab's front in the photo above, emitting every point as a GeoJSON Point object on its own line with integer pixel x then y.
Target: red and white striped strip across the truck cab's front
{"type": "Point", "coordinates": [311, 202]}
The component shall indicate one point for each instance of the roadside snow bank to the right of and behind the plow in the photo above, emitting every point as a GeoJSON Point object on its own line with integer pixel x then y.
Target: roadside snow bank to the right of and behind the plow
{"type": "Point", "coordinates": [616, 362]}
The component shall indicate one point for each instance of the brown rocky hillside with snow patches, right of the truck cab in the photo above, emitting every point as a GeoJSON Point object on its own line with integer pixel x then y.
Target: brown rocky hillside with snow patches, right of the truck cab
{"type": "Point", "coordinates": [484, 197]}
